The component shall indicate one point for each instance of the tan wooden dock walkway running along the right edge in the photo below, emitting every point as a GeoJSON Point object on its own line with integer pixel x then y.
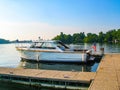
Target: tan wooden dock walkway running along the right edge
{"type": "Point", "coordinates": [108, 74]}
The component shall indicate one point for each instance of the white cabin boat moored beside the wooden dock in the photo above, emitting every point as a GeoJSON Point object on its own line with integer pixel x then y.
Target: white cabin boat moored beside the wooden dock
{"type": "Point", "coordinates": [51, 51]}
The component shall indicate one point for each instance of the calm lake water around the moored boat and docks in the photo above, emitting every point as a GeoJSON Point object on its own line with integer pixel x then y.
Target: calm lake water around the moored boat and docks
{"type": "Point", "coordinates": [9, 57]}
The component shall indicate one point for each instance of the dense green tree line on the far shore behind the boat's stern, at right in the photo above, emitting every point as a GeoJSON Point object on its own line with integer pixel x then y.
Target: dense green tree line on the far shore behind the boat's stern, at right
{"type": "Point", "coordinates": [110, 36]}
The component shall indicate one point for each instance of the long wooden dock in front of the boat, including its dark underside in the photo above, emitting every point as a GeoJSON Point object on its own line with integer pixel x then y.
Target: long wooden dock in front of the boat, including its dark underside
{"type": "Point", "coordinates": [47, 78]}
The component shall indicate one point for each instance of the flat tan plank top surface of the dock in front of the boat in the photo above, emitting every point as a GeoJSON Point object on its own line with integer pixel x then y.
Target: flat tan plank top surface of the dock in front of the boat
{"type": "Point", "coordinates": [83, 77]}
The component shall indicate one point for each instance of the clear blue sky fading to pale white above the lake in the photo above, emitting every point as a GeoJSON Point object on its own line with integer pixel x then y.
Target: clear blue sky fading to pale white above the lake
{"type": "Point", "coordinates": [29, 19]}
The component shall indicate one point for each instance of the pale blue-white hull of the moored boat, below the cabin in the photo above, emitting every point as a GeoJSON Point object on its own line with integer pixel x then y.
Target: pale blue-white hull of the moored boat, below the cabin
{"type": "Point", "coordinates": [54, 56]}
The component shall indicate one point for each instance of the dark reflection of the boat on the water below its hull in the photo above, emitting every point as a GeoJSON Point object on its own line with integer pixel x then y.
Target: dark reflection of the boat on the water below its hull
{"type": "Point", "coordinates": [56, 66]}
